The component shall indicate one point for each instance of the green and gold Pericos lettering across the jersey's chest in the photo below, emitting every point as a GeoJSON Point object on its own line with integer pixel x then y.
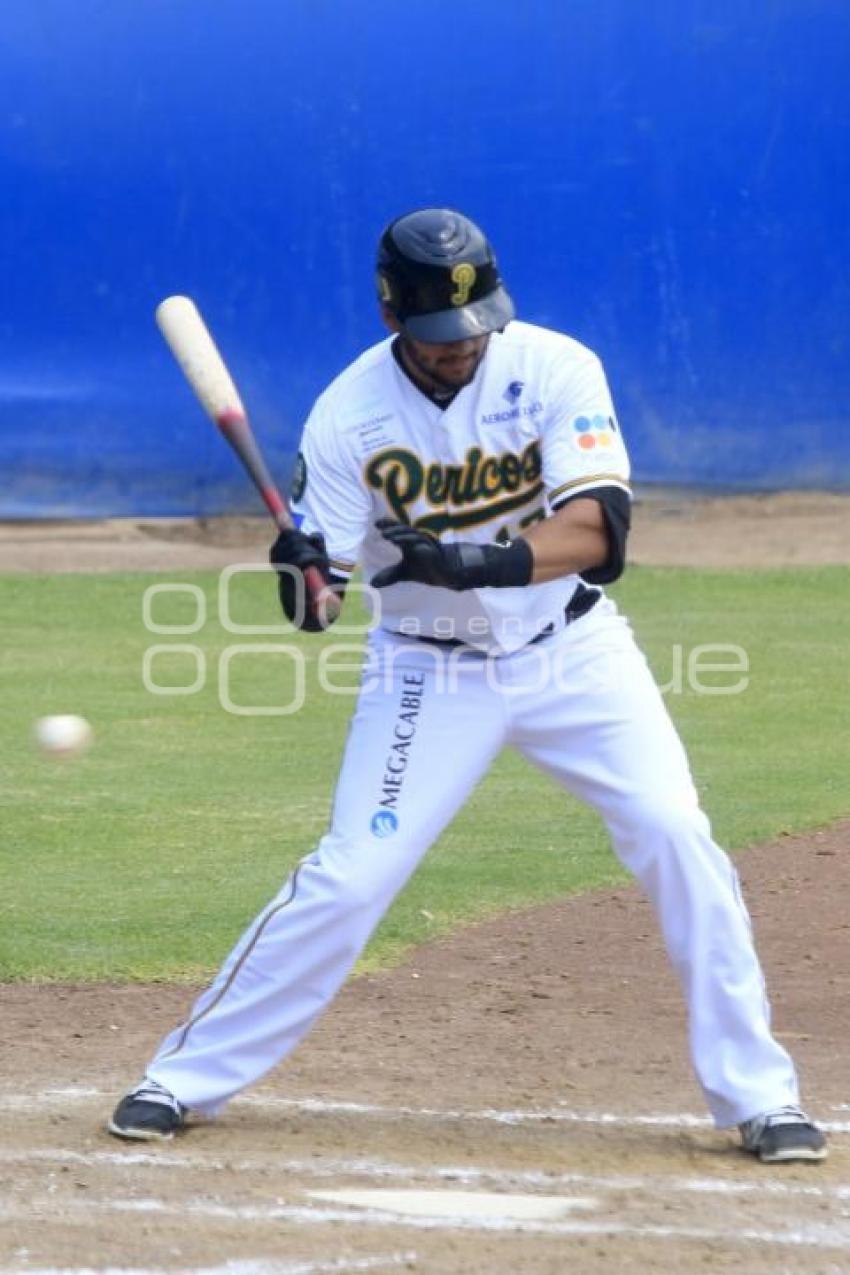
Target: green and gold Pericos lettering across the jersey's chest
{"type": "Point", "coordinates": [481, 489]}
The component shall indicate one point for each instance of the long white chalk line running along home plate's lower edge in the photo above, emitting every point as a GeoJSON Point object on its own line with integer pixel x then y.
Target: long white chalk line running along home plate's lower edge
{"type": "Point", "coordinates": [834, 1237]}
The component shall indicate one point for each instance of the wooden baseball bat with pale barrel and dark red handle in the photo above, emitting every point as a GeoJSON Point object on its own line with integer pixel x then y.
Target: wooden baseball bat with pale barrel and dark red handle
{"type": "Point", "coordinates": [193, 346]}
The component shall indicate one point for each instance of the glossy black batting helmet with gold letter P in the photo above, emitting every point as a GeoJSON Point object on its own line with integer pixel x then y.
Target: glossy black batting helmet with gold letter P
{"type": "Point", "coordinates": [438, 275]}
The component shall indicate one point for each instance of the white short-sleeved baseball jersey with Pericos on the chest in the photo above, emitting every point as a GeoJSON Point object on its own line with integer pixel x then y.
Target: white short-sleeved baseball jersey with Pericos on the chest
{"type": "Point", "coordinates": [535, 428]}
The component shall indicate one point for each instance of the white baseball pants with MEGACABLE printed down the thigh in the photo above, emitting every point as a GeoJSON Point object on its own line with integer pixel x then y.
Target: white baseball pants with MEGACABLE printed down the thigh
{"type": "Point", "coordinates": [582, 706]}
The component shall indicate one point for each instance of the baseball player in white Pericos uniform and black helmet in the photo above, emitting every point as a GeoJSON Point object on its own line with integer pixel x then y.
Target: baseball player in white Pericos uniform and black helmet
{"type": "Point", "coordinates": [473, 467]}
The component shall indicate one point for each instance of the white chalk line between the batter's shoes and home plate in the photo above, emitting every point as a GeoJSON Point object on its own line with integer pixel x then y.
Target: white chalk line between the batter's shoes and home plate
{"type": "Point", "coordinates": [168, 1160]}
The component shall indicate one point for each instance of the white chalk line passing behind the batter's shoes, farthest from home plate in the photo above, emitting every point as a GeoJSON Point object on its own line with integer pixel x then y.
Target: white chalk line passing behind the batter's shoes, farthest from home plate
{"type": "Point", "coordinates": [318, 1106]}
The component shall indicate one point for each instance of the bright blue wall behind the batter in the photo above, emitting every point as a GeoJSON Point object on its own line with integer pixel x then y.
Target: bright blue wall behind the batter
{"type": "Point", "coordinates": [667, 182]}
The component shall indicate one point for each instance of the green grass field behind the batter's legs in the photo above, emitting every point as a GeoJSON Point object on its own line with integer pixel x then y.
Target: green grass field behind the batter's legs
{"type": "Point", "coordinates": [147, 857]}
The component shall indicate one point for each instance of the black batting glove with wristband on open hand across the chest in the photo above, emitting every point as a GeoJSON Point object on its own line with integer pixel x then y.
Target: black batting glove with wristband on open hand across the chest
{"type": "Point", "coordinates": [453, 567]}
